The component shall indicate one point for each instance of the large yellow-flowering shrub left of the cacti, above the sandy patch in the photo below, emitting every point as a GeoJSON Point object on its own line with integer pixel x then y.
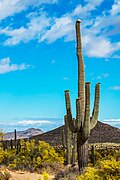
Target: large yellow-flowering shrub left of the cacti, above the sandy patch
{"type": "Point", "coordinates": [32, 156]}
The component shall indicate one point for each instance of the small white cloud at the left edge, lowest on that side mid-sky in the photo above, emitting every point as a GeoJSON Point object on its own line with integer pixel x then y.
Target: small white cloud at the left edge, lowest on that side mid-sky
{"type": "Point", "coordinates": [6, 66]}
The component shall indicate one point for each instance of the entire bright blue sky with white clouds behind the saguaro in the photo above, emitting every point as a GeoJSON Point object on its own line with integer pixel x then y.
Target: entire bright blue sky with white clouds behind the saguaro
{"type": "Point", "coordinates": [38, 59]}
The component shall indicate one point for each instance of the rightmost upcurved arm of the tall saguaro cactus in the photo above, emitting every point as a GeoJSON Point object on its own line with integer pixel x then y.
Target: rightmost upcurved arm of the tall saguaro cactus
{"type": "Point", "coordinates": [95, 112]}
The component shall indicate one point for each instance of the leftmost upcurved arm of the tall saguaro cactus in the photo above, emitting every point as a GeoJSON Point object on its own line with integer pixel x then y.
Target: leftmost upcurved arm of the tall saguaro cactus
{"type": "Point", "coordinates": [69, 113]}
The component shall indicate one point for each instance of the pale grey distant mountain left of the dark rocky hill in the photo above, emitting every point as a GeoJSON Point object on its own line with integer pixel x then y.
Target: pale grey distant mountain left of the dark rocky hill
{"type": "Point", "coordinates": [23, 134]}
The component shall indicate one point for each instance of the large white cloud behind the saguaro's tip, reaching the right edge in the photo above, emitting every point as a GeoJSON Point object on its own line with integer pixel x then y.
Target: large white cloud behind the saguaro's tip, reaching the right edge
{"type": "Point", "coordinates": [95, 41]}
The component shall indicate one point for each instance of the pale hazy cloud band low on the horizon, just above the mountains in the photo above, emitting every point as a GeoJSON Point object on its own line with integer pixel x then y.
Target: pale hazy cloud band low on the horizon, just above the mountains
{"type": "Point", "coordinates": [45, 124]}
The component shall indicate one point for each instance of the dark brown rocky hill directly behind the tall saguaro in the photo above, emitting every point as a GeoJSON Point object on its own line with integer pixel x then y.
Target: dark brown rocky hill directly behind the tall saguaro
{"type": "Point", "coordinates": [102, 133]}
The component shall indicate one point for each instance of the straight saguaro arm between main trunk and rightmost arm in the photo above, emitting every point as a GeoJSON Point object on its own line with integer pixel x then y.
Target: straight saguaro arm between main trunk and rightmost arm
{"type": "Point", "coordinates": [86, 125]}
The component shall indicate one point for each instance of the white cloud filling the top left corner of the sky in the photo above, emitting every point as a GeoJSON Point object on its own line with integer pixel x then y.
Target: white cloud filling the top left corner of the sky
{"type": "Point", "coordinates": [11, 7]}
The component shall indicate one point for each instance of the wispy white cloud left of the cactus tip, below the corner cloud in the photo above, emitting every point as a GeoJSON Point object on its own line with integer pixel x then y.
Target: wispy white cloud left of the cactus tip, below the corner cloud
{"type": "Point", "coordinates": [34, 29]}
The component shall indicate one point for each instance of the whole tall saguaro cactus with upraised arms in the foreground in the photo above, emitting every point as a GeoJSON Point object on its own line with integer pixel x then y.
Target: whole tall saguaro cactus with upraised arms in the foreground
{"type": "Point", "coordinates": [84, 123]}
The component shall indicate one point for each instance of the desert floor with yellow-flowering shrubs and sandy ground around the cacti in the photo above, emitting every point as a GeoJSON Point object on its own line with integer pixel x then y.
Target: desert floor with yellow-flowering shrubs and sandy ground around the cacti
{"type": "Point", "coordinates": [42, 161]}
